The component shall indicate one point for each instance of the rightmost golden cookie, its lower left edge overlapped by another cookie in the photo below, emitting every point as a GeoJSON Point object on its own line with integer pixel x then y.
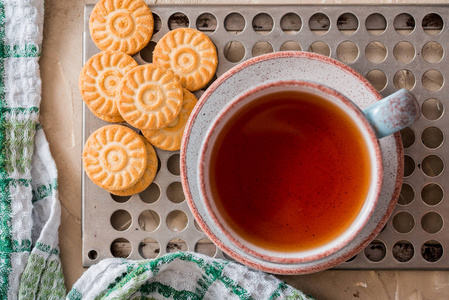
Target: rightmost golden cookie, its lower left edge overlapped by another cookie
{"type": "Point", "coordinates": [190, 54]}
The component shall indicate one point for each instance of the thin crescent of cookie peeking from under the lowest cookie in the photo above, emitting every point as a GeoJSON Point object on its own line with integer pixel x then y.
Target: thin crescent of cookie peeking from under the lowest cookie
{"type": "Point", "coordinates": [147, 177]}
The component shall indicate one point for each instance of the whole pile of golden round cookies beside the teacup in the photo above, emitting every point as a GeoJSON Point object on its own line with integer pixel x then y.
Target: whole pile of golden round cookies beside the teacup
{"type": "Point", "coordinates": [154, 98]}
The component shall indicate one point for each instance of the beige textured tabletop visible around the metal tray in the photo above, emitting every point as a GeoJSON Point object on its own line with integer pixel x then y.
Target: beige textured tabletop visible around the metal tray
{"type": "Point", "coordinates": [61, 120]}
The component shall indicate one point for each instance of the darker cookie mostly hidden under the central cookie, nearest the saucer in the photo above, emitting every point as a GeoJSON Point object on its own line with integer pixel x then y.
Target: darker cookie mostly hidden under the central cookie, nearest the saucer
{"type": "Point", "coordinates": [169, 138]}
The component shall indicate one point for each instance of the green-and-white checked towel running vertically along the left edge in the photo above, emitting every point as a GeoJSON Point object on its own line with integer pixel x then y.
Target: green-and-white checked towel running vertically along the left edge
{"type": "Point", "coordinates": [29, 207]}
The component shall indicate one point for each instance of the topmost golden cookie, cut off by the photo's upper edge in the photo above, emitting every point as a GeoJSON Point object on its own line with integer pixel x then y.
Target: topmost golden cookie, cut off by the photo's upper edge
{"type": "Point", "coordinates": [123, 25]}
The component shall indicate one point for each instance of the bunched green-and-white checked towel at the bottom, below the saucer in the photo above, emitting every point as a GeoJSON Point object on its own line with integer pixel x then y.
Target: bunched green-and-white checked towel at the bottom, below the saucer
{"type": "Point", "coordinates": [179, 276]}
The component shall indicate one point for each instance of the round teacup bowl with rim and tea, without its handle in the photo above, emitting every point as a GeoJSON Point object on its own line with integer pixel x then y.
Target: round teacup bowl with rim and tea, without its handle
{"type": "Point", "coordinates": [290, 171]}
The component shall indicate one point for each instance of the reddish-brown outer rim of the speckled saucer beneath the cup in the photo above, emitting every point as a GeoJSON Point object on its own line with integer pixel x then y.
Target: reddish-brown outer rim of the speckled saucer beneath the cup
{"type": "Point", "coordinates": [203, 221]}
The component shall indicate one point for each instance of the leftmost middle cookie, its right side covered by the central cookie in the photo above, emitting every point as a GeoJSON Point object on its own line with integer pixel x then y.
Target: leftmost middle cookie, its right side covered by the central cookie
{"type": "Point", "coordinates": [99, 80]}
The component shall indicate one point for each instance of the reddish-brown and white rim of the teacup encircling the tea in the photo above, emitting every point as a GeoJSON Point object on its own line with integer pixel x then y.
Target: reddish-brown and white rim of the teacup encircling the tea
{"type": "Point", "coordinates": [362, 217]}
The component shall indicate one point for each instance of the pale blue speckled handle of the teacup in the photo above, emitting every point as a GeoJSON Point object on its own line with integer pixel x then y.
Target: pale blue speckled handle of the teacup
{"type": "Point", "coordinates": [393, 113]}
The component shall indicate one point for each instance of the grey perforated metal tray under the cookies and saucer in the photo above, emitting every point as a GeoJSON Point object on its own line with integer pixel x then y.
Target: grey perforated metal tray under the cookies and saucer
{"type": "Point", "coordinates": [394, 46]}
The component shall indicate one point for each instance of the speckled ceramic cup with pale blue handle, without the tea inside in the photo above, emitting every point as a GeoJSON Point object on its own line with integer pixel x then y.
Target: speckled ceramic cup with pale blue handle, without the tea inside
{"type": "Point", "coordinates": [378, 120]}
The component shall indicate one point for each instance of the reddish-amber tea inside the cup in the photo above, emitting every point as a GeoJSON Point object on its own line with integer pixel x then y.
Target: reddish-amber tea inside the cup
{"type": "Point", "coordinates": [290, 171]}
